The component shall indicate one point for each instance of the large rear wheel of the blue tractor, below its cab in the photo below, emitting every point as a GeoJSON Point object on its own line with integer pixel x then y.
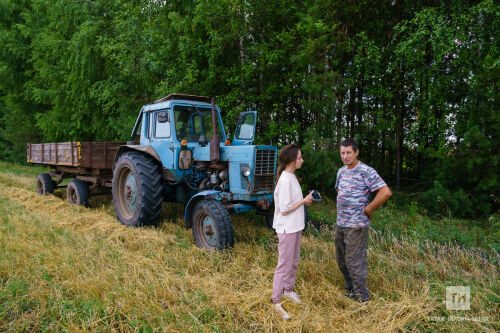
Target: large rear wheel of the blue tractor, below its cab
{"type": "Point", "coordinates": [137, 190]}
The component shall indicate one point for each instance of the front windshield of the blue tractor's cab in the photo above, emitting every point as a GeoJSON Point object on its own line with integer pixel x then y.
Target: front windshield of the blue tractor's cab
{"type": "Point", "coordinates": [191, 123]}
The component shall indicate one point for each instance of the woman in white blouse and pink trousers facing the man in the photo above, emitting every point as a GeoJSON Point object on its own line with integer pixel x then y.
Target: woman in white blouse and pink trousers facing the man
{"type": "Point", "coordinates": [288, 223]}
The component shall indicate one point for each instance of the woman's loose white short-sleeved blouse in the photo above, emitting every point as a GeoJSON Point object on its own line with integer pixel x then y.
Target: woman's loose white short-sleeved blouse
{"type": "Point", "coordinates": [286, 194]}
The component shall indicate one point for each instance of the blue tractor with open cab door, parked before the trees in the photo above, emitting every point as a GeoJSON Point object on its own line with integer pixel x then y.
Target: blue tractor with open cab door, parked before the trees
{"type": "Point", "coordinates": [184, 156]}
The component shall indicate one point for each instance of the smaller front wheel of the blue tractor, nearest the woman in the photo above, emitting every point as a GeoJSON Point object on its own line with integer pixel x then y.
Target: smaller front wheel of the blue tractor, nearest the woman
{"type": "Point", "coordinates": [212, 226]}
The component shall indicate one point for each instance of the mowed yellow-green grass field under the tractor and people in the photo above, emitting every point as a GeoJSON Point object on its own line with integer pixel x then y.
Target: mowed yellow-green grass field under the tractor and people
{"type": "Point", "coordinates": [67, 268]}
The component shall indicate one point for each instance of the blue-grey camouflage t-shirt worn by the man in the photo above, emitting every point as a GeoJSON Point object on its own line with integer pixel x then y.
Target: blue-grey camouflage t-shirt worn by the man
{"type": "Point", "coordinates": [354, 187]}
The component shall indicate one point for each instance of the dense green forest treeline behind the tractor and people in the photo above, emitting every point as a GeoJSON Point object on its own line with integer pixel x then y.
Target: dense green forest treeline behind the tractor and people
{"type": "Point", "coordinates": [415, 83]}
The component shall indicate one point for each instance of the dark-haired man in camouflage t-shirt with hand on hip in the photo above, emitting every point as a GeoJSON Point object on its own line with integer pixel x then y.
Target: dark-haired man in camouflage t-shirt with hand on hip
{"type": "Point", "coordinates": [355, 181]}
